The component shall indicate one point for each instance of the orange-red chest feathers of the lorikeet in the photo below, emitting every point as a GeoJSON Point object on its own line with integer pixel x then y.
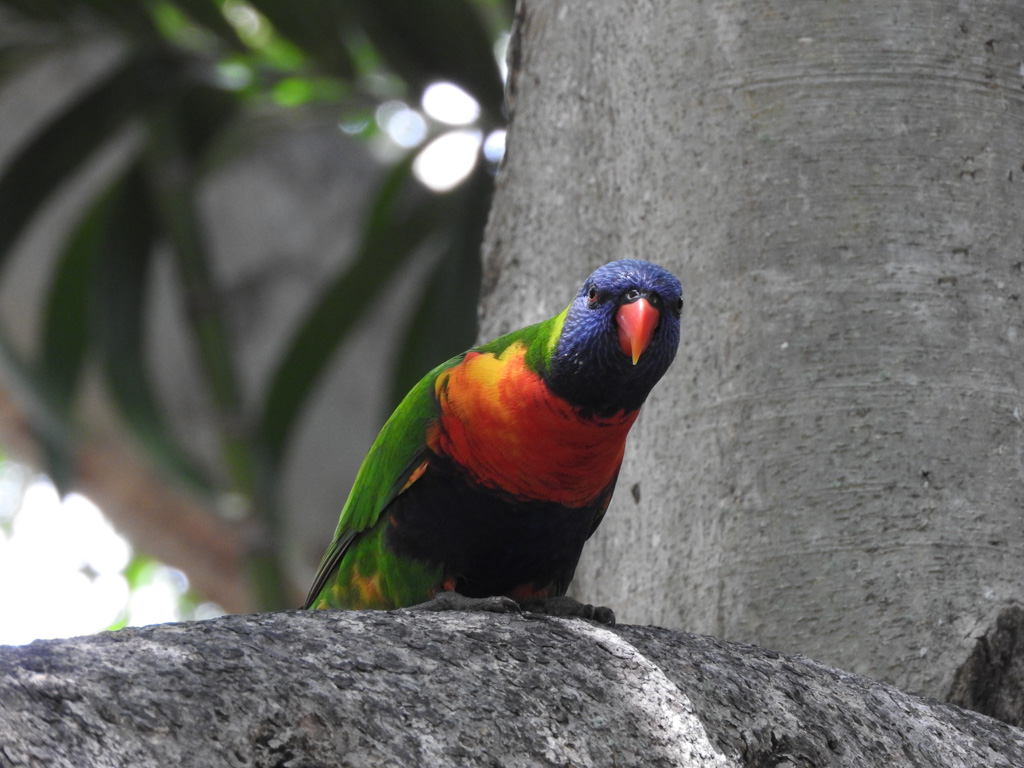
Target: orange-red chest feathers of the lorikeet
{"type": "Point", "coordinates": [503, 425]}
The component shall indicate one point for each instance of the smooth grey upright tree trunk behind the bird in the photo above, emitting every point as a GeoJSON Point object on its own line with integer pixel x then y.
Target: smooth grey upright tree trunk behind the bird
{"type": "Point", "coordinates": [836, 463]}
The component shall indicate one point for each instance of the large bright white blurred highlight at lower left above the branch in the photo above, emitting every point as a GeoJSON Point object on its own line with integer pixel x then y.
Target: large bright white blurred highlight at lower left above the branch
{"type": "Point", "coordinates": [63, 570]}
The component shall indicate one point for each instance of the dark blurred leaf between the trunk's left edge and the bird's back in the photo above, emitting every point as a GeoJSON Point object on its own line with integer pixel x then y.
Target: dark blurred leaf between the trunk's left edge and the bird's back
{"type": "Point", "coordinates": [445, 322]}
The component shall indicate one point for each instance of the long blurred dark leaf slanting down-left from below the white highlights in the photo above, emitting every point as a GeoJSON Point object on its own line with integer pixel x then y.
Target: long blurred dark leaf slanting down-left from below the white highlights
{"type": "Point", "coordinates": [389, 241]}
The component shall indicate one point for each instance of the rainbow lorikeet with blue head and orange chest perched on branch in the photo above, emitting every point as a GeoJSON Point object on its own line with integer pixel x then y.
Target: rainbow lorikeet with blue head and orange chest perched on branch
{"type": "Point", "coordinates": [486, 483]}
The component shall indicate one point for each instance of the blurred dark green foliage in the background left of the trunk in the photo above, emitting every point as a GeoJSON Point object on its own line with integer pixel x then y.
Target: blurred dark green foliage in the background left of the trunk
{"type": "Point", "coordinates": [189, 72]}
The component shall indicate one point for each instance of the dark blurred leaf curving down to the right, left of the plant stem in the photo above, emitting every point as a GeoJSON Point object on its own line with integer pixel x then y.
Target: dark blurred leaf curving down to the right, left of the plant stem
{"type": "Point", "coordinates": [122, 273]}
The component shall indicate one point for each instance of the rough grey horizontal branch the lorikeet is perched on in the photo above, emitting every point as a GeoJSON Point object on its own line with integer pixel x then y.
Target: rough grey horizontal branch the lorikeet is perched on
{"type": "Point", "coordinates": [402, 690]}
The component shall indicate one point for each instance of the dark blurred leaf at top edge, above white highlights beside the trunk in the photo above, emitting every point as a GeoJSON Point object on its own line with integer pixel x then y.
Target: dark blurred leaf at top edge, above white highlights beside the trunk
{"type": "Point", "coordinates": [432, 40]}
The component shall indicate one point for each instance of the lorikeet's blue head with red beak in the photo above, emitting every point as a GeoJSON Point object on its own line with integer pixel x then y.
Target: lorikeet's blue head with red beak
{"type": "Point", "coordinates": [620, 336]}
